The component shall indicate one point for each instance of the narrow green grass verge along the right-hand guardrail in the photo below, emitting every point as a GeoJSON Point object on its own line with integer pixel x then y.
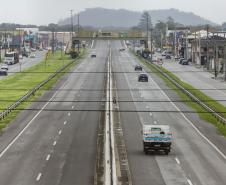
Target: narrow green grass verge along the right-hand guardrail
{"type": "Point", "coordinates": [216, 106]}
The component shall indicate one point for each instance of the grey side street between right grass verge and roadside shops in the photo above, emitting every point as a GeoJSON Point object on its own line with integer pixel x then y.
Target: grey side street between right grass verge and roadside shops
{"type": "Point", "coordinates": [199, 79]}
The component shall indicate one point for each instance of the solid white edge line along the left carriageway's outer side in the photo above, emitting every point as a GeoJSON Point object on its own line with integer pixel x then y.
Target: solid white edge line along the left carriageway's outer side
{"type": "Point", "coordinates": [25, 128]}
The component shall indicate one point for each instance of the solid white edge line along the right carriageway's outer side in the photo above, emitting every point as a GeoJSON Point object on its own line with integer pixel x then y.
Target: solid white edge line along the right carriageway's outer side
{"type": "Point", "coordinates": [196, 129]}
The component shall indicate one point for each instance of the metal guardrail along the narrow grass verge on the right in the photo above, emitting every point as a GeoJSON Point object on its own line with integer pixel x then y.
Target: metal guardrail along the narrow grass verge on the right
{"type": "Point", "coordinates": [192, 96]}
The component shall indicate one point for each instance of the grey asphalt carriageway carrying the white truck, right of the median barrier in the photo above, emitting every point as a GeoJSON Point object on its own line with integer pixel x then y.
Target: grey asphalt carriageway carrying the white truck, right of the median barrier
{"type": "Point", "coordinates": [193, 160]}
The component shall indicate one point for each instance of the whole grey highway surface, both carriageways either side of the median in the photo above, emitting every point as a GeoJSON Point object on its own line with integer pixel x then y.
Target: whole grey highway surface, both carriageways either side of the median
{"type": "Point", "coordinates": [59, 147]}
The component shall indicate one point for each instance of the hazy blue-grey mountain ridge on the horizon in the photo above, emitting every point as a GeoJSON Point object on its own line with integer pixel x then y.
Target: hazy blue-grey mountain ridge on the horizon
{"type": "Point", "coordinates": [103, 17]}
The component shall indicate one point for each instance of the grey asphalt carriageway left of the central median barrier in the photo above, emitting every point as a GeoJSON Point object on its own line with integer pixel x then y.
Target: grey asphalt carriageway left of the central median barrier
{"type": "Point", "coordinates": [58, 148]}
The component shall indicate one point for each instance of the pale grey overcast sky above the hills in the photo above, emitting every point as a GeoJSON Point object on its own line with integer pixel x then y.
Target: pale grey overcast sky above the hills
{"type": "Point", "coordinates": [46, 11]}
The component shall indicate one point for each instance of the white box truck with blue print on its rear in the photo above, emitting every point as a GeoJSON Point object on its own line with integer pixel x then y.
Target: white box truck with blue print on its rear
{"type": "Point", "coordinates": [157, 138]}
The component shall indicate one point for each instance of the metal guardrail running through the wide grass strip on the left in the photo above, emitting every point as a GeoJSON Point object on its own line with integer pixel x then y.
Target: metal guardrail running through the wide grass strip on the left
{"type": "Point", "coordinates": [4, 113]}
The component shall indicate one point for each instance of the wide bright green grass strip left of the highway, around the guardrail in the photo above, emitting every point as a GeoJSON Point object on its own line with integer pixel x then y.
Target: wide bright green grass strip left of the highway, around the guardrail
{"type": "Point", "coordinates": [14, 87]}
